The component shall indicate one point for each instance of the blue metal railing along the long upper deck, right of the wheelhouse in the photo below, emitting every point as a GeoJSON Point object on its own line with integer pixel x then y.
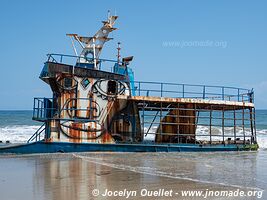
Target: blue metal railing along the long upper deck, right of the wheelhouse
{"type": "Point", "coordinates": [193, 91]}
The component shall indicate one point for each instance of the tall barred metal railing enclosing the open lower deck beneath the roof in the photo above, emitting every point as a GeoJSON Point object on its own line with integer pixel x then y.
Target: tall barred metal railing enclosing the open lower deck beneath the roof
{"type": "Point", "coordinates": [201, 124]}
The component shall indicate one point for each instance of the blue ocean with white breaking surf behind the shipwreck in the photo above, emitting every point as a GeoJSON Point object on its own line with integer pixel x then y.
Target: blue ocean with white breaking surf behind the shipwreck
{"type": "Point", "coordinates": [18, 126]}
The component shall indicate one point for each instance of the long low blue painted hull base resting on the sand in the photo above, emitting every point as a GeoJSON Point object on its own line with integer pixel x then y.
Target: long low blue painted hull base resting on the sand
{"type": "Point", "coordinates": [52, 147]}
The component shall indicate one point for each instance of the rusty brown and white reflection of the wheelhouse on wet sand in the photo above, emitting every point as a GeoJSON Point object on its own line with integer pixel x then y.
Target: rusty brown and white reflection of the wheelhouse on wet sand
{"type": "Point", "coordinates": [63, 179]}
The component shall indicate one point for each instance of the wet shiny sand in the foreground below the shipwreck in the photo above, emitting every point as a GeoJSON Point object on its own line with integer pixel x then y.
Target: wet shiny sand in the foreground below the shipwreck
{"type": "Point", "coordinates": [75, 176]}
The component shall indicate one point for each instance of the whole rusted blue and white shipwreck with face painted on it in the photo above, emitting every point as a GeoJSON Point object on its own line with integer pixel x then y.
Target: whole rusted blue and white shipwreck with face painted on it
{"type": "Point", "coordinates": [95, 109]}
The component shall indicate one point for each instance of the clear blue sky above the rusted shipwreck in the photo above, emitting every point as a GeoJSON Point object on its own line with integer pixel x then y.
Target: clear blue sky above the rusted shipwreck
{"type": "Point", "coordinates": [197, 42]}
